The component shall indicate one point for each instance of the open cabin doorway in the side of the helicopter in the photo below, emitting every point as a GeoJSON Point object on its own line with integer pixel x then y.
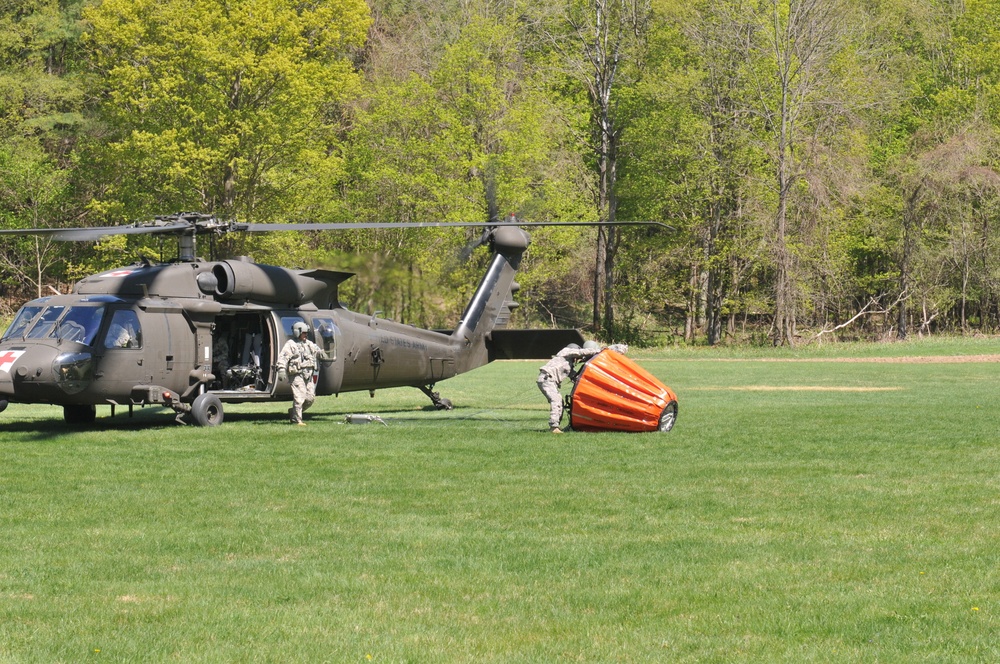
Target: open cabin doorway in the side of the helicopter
{"type": "Point", "coordinates": [241, 353]}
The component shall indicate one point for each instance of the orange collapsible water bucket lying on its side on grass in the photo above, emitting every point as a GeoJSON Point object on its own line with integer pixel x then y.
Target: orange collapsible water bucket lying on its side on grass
{"type": "Point", "coordinates": [613, 393]}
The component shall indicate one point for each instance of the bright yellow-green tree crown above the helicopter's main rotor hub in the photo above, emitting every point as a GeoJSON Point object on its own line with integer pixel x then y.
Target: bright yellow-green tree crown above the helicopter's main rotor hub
{"type": "Point", "coordinates": [220, 108]}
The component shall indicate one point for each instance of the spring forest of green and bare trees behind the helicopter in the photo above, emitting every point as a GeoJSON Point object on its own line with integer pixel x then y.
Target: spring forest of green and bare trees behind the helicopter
{"type": "Point", "coordinates": [829, 167]}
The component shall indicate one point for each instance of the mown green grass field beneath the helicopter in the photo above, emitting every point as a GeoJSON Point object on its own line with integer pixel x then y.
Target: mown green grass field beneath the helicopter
{"type": "Point", "coordinates": [808, 510]}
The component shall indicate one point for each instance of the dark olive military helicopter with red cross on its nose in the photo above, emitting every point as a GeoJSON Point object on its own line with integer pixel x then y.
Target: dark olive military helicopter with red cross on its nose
{"type": "Point", "coordinates": [192, 334]}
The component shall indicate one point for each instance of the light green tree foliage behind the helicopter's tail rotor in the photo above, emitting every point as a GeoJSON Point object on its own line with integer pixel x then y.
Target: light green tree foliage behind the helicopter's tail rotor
{"type": "Point", "coordinates": [475, 139]}
